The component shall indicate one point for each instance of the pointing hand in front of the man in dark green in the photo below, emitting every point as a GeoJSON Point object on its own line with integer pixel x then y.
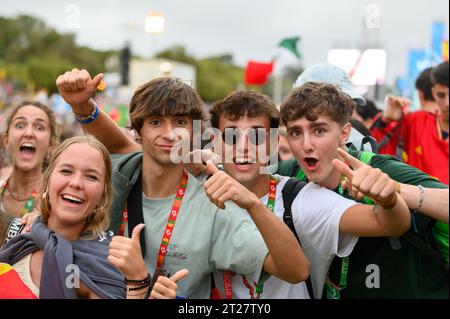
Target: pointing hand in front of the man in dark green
{"type": "Point", "coordinates": [363, 180]}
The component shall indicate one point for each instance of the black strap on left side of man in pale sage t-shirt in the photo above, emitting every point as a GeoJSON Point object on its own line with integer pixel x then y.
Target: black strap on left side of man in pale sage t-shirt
{"type": "Point", "coordinates": [135, 213]}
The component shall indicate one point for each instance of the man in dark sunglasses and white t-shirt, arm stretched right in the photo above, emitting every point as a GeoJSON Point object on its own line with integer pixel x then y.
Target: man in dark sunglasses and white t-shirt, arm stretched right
{"type": "Point", "coordinates": [326, 224]}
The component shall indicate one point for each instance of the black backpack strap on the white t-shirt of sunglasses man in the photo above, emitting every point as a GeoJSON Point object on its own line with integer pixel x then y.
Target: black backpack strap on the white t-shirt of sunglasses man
{"type": "Point", "coordinates": [290, 191]}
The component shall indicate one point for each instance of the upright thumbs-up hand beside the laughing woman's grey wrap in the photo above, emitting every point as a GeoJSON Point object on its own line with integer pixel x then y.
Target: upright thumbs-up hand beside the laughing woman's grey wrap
{"type": "Point", "coordinates": [125, 254]}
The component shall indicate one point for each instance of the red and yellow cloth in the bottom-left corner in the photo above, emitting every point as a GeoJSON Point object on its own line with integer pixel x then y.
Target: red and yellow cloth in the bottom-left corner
{"type": "Point", "coordinates": [11, 286]}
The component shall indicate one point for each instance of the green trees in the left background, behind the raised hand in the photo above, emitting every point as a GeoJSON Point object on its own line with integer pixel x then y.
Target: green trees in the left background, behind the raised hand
{"type": "Point", "coordinates": [32, 52]}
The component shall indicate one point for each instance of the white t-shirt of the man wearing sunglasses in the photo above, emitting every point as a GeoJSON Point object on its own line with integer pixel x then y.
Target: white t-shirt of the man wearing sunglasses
{"type": "Point", "coordinates": [316, 212]}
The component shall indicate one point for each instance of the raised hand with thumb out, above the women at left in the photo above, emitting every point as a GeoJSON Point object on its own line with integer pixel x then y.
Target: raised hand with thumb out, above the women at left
{"type": "Point", "coordinates": [77, 87]}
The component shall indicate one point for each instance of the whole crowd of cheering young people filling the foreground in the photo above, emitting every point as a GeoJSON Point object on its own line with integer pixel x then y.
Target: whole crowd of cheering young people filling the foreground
{"type": "Point", "coordinates": [334, 217]}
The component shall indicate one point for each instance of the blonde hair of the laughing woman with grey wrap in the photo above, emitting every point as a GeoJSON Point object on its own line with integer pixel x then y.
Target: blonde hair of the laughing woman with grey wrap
{"type": "Point", "coordinates": [98, 221]}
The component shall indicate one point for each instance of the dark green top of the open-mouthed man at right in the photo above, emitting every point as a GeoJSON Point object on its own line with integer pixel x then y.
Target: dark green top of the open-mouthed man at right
{"type": "Point", "coordinates": [404, 272]}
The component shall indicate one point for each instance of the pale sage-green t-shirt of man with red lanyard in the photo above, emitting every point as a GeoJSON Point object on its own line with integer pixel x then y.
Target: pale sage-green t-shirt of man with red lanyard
{"type": "Point", "coordinates": [205, 238]}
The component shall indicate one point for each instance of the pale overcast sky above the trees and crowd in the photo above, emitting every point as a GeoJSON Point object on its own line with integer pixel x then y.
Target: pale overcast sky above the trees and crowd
{"type": "Point", "coordinates": [247, 29]}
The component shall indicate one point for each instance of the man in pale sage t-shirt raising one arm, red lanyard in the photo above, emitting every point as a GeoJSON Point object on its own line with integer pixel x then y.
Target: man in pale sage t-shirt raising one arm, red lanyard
{"type": "Point", "coordinates": [183, 229]}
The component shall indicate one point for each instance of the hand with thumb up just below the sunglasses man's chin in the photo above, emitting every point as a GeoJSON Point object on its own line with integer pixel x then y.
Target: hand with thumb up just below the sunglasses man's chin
{"type": "Point", "coordinates": [221, 187]}
